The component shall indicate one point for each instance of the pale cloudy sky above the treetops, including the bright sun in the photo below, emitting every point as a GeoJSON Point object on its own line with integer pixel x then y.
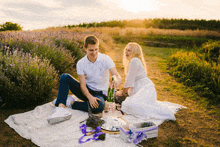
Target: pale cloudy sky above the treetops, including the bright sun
{"type": "Point", "coordinates": [41, 14]}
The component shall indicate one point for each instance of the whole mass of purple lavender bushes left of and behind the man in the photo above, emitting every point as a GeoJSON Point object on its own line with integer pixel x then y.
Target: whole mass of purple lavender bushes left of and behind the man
{"type": "Point", "coordinates": [31, 62]}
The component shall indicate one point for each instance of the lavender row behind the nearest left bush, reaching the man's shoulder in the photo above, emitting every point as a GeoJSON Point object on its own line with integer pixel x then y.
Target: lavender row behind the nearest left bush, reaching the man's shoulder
{"type": "Point", "coordinates": [43, 47]}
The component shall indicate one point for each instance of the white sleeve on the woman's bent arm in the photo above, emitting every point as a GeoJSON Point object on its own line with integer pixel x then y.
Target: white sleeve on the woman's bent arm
{"type": "Point", "coordinates": [132, 73]}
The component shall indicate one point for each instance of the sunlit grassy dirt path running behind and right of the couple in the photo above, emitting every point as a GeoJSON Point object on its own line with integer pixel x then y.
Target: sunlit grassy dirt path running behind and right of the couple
{"type": "Point", "coordinates": [197, 125]}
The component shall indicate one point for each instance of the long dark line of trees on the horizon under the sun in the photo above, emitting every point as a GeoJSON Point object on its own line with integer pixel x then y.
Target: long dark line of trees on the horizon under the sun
{"type": "Point", "coordinates": [161, 23]}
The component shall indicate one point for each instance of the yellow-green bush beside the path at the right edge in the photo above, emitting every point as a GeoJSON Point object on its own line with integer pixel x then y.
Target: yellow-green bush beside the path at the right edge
{"type": "Point", "coordinates": [196, 72]}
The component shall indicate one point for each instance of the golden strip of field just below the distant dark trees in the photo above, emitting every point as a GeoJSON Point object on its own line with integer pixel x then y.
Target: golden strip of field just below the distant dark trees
{"type": "Point", "coordinates": [131, 31]}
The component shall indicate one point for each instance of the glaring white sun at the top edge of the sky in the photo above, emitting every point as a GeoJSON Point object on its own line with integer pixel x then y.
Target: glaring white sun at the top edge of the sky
{"type": "Point", "coordinates": [136, 6]}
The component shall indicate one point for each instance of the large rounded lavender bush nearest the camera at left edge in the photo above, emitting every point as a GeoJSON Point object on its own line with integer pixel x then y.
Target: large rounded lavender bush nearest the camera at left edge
{"type": "Point", "coordinates": [26, 80]}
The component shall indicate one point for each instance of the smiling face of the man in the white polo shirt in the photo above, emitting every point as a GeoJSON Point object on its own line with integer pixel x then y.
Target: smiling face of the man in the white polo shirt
{"type": "Point", "coordinates": [92, 51]}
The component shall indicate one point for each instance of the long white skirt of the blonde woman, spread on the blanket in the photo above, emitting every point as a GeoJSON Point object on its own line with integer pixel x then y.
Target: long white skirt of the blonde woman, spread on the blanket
{"type": "Point", "coordinates": [144, 103]}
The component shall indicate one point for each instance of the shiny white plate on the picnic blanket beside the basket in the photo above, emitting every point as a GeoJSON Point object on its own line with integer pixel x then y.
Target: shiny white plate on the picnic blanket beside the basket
{"type": "Point", "coordinates": [113, 124]}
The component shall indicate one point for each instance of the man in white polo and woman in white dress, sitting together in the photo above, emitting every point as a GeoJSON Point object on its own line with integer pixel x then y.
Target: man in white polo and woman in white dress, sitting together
{"type": "Point", "coordinates": [93, 71]}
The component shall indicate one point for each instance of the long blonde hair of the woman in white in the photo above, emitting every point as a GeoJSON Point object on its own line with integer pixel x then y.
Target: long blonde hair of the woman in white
{"type": "Point", "coordinates": [136, 51]}
